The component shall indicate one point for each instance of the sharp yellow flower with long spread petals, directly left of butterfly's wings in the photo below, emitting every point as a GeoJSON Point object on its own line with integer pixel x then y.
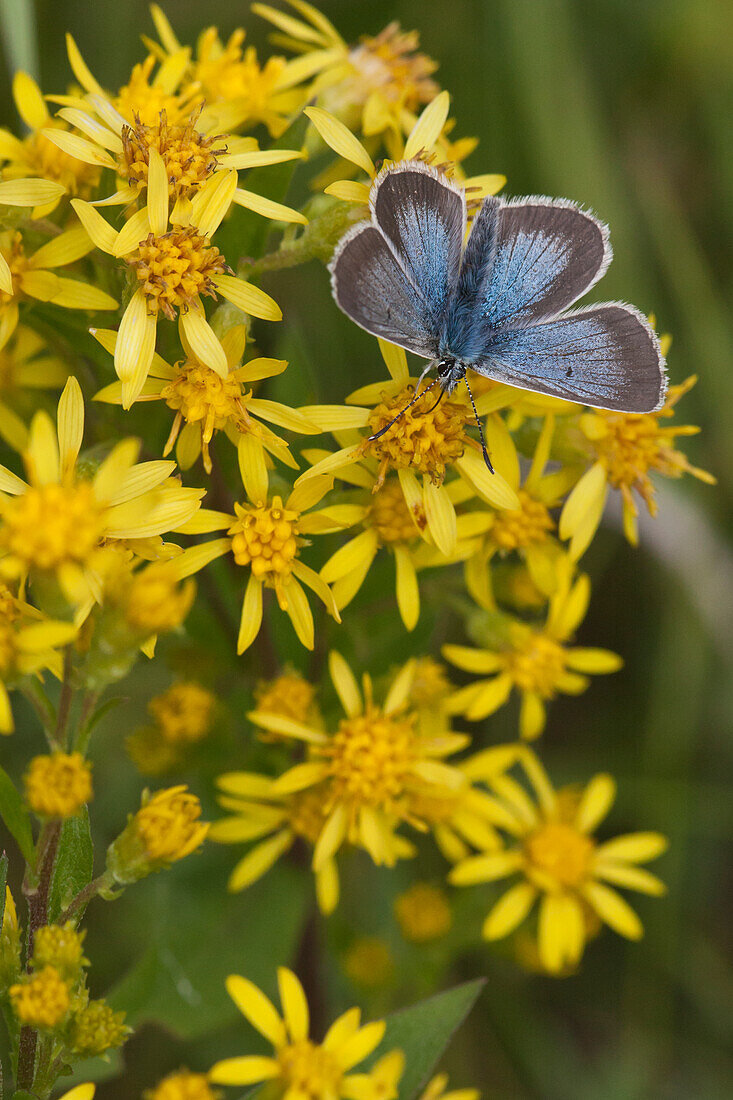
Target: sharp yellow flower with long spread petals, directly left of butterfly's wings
{"type": "Point", "coordinates": [174, 266]}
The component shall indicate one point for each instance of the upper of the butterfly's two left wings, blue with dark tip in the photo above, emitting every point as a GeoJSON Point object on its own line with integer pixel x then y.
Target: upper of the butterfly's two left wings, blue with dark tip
{"type": "Point", "coordinates": [423, 217]}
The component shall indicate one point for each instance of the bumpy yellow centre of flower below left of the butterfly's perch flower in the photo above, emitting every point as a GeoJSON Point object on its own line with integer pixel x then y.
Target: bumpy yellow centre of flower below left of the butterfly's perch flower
{"type": "Point", "coordinates": [266, 538]}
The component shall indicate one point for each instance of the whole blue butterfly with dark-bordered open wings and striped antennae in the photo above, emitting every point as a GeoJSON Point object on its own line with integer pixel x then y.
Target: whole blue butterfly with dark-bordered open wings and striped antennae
{"type": "Point", "coordinates": [499, 304]}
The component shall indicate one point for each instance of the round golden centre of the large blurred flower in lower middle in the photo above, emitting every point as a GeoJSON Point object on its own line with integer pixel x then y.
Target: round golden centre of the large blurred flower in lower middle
{"type": "Point", "coordinates": [371, 756]}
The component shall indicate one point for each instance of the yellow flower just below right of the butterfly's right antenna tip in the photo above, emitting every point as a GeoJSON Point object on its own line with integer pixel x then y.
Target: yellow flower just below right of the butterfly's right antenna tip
{"type": "Point", "coordinates": [528, 531]}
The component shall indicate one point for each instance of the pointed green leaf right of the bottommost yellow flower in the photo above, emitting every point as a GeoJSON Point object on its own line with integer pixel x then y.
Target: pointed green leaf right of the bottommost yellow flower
{"type": "Point", "coordinates": [424, 1031]}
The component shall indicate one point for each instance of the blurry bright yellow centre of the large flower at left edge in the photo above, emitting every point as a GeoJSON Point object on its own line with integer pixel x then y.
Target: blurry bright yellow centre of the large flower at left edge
{"type": "Point", "coordinates": [52, 525]}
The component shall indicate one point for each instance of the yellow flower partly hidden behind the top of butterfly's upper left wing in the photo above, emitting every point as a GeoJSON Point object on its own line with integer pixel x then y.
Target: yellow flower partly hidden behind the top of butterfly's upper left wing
{"type": "Point", "coordinates": [425, 141]}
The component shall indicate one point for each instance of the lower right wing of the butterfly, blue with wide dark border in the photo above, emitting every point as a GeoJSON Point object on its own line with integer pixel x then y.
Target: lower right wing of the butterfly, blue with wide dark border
{"type": "Point", "coordinates": [607, 357]}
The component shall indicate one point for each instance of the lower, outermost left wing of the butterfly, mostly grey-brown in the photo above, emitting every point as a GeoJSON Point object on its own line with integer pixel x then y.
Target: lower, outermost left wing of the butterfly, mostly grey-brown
{"type": "Point", "coordinates": [374, 290]}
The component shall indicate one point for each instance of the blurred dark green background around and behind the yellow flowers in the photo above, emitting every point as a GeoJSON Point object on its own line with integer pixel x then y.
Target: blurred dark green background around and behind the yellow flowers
{"type": "Point", "coordinates": [627, 108]}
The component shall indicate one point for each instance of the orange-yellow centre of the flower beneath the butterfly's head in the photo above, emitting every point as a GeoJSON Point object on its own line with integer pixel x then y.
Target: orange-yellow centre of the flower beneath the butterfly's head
{"type": "Point", "coordinates": [428, 436]}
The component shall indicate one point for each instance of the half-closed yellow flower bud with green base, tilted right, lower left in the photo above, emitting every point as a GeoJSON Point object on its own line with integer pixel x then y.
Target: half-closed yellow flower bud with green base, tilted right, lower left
{"type": "Point", "coordinates": [167, 829]}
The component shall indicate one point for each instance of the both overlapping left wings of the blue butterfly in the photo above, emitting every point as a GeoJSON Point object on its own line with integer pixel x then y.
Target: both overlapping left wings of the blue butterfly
{"type": "Point", "coordinates": [396, 277]}
